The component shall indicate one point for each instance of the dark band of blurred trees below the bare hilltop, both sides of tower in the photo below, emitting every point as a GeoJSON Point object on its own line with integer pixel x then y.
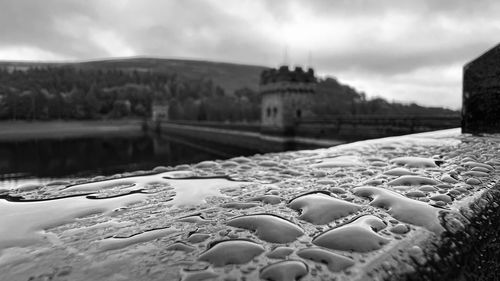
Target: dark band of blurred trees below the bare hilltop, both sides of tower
{"type": "Point", "coordinates": [68, 92]}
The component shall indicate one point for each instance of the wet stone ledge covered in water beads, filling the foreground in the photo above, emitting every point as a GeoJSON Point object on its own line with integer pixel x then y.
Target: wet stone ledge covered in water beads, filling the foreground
{"type": "Point", "coordinates": [417, 207]}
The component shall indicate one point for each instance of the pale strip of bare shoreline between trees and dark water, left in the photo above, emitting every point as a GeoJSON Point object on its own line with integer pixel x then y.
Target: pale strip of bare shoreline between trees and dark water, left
{"type": "Point", "coordinates": [54, 129]}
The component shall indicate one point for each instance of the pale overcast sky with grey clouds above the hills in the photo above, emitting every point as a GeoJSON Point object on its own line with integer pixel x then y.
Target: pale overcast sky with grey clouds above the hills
{"type": "Point", "coordinates": [410, 51]}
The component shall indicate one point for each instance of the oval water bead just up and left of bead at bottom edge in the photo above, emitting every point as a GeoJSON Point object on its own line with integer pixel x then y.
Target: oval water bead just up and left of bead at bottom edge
{"type": "Point", "coordinates": [235, 251]}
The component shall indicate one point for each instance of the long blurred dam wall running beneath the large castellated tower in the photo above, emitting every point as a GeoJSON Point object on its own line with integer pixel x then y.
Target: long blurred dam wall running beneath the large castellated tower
{"type": "Point", "coordinates": [308, 133]}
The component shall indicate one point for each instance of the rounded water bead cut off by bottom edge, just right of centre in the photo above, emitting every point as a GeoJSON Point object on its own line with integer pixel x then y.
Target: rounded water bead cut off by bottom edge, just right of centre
{"type": "Point", "coordinates": [284, 271]}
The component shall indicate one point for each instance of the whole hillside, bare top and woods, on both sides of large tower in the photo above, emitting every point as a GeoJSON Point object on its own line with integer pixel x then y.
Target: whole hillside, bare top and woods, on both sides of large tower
{"type": "Point", "coordinates": [194, 90]}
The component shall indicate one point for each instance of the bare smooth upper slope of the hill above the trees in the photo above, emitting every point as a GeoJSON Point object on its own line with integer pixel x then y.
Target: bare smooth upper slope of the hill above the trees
{"type": "Point", "coordinates": [228, 75]}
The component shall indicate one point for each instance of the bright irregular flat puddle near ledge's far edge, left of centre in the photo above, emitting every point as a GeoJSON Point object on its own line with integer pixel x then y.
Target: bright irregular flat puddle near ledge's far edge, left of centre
{"type": "Point", "coordinates": [189, 191]}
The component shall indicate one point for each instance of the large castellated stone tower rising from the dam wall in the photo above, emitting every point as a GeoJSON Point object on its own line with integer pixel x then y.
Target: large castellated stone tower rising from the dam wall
{"type": "Point", "coordinates": [286, 98]}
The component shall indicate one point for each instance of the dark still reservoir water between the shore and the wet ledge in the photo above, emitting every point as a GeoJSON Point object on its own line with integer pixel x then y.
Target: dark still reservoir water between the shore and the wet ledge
{"type": "Point", "coordinates": [40, 161]}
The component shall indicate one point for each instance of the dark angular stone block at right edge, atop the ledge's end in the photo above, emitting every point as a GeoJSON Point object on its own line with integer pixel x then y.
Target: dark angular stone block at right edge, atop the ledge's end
{"type": "Point", "coordinates": [481, 93]}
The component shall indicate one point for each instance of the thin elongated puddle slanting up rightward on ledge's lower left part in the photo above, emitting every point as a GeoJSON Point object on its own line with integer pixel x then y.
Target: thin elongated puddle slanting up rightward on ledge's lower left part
{"type": "Point", "coordinates": [115, 243]}
